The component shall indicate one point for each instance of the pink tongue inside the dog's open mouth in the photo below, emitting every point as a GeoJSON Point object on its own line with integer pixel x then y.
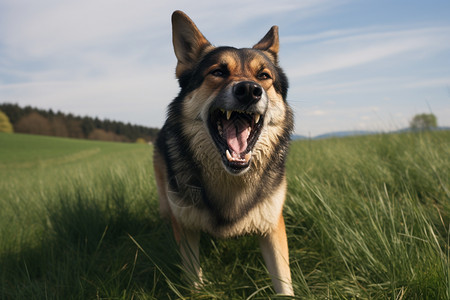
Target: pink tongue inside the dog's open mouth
{"type": "Point", "coordinates": [236, 134]}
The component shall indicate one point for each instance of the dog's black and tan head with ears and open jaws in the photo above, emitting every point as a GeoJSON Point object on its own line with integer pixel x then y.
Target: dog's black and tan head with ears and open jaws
{"type": "Point", "coordinates": [238, 94]}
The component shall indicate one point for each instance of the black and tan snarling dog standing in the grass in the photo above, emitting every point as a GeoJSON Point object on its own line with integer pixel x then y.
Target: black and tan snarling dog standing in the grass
{"type": "Point", "coordinates": [219, 159]}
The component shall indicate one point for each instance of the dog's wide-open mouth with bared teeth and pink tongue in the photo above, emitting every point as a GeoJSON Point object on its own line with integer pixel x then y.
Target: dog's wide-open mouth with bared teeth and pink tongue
{"type": "Point", "coordinates": [235, 134]}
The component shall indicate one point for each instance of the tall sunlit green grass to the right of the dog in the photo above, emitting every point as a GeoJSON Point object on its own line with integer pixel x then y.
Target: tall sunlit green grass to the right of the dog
{"type": "Point", "coordinates": [371, 216]}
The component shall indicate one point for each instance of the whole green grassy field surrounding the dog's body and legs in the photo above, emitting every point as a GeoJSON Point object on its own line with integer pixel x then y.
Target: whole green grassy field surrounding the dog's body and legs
{"type": "Point", "coordinates": [367, 218]}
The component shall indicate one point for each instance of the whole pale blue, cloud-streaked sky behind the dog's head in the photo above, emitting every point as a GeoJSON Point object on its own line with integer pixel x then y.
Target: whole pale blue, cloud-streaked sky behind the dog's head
{"type": "Point", "coordinates": [352, 65]}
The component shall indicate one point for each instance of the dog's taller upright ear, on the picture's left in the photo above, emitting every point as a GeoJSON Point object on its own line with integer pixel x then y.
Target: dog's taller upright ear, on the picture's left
{"type": "Point", "coordinates": [188, 42]}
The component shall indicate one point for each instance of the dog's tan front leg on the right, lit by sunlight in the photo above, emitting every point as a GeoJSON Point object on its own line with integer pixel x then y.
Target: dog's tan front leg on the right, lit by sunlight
{"type": "Point", "coordinates": [275, 251]}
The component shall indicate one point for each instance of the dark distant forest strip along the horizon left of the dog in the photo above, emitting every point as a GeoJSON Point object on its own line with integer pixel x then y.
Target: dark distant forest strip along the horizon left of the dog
{"type": "Point", "coordinates": [32, 120]}
